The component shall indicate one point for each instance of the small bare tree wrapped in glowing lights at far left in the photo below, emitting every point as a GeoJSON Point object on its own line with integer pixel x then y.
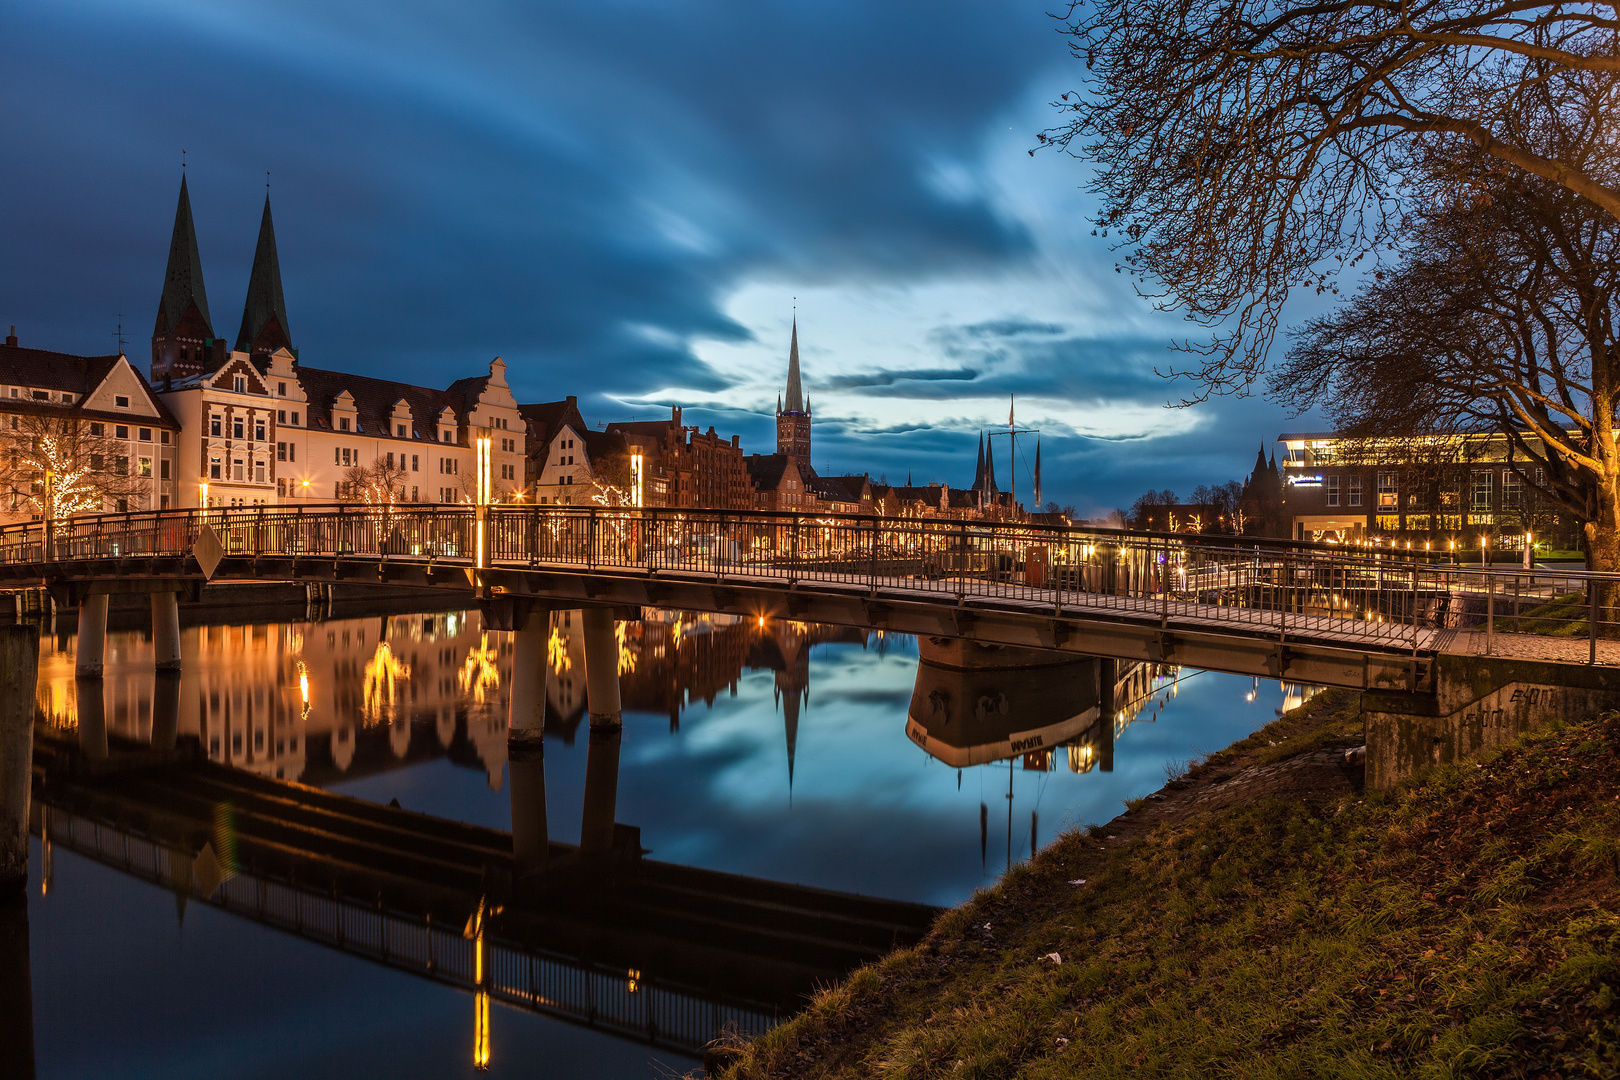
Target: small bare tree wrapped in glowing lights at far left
{"type": "Point", "coordinates": [59, 466]}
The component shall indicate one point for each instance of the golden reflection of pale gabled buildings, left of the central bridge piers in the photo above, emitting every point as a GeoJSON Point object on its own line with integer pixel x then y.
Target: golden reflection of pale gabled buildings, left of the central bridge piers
{"type": "Point", "coordinates": [305, 702]}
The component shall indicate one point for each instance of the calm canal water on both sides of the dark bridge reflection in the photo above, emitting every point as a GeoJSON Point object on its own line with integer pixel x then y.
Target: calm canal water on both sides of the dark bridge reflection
{"type": "Point", "coordinates": [790, 752]}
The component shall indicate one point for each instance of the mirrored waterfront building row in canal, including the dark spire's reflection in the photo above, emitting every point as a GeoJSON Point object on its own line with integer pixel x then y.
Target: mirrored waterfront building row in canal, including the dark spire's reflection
{"type": "Point", "coordinates": [320, 702]}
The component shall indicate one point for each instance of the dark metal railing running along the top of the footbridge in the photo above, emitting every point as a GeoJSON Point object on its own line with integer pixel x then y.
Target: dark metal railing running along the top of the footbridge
{"type": "Point", "coordinates": [1185, 580]}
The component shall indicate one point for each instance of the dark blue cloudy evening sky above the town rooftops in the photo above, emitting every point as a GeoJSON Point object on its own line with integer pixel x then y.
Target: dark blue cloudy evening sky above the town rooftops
{"type": "Point", "coordinates": [625, 200]}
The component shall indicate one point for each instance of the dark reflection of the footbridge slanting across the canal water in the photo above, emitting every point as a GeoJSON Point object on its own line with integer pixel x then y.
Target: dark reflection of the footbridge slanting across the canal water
{"type": "Point", "coordinates": [642, 950]}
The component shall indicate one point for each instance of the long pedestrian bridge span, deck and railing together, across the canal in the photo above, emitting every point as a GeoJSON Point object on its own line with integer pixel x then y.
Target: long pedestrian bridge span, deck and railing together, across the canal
{"type": "Point", "coordinates": [1308, 613]}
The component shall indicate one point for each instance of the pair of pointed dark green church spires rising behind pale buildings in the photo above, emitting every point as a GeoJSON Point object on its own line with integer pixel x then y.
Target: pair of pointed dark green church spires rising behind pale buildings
{"type": "Point", "coordinates": [184, 341]}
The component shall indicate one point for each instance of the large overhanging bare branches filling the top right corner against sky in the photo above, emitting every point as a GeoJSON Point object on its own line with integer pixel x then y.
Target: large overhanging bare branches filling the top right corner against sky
{"type": "Point", "coordinates": [1248, 148]}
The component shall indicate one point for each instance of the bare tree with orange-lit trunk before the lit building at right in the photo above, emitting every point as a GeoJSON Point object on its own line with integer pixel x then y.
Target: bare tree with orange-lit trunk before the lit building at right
{"type": "Point", "coordinates": [1501, 320]}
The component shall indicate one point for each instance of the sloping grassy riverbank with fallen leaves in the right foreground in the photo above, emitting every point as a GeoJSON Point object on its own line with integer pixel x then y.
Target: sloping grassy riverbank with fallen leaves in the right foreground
{"type": "Point", "coordinates": [1263, 917]}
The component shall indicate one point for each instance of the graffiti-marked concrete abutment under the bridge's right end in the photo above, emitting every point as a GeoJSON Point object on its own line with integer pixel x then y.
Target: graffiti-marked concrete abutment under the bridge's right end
{"type": "Point", "coordinates": [1477, 705]}
